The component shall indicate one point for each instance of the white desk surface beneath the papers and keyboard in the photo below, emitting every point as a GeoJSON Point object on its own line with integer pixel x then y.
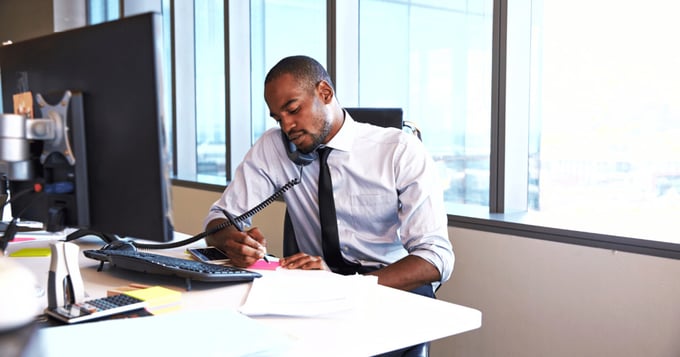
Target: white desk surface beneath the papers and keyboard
{"type": "Point", "coordinates": [386, 320]}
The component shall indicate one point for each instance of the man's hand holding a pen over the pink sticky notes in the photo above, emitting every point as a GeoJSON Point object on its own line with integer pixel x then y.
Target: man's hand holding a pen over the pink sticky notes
{"type": "Point", "coordinates": [243, 248]}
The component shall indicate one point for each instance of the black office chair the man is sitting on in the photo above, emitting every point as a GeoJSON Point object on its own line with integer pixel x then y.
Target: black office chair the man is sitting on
{"type": "Point", "coordinates": [385, 117]}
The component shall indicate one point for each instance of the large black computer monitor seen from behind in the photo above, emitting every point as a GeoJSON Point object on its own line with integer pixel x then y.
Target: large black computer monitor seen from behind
{"type": "Point", "coordinates": [116, 68]}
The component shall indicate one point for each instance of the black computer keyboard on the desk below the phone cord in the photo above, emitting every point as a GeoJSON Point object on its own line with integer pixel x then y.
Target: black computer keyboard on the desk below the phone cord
{"type": "Point", "coordinates": [151, 263]}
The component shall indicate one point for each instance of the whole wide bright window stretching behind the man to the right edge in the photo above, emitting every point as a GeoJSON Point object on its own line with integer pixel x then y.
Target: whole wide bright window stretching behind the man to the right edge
{"type": "Point", "coordinates": [545, 118]}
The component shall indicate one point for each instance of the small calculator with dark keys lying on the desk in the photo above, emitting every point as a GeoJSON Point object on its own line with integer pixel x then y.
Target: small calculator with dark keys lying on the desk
{"type": "Point", "coordinates": [96, 308]}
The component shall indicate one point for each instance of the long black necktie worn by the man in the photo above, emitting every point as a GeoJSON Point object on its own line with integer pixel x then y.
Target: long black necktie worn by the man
{"type": "Point", "coordinates": [329, 221]}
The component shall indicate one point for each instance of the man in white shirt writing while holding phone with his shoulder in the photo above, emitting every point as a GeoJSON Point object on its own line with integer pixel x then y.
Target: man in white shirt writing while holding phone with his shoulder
{"type": "Point", "coordinates": [389, 205]}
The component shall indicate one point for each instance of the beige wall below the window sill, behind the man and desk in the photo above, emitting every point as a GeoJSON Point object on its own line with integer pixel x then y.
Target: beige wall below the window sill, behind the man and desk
{"type": "Point", "coordinates": [538, 298]}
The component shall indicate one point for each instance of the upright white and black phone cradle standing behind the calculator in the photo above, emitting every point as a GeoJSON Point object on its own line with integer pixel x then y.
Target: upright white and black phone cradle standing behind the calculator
{"type": "Point", "coordinates": [65, 284]}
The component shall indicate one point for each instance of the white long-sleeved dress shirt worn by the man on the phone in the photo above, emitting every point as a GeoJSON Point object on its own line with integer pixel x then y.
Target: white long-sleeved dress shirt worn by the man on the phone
{"type": "Point", "coordinates": [388, 199]}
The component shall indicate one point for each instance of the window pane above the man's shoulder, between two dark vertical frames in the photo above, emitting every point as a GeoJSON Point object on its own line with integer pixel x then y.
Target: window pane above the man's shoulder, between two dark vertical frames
{"type": "Point", "coordinates": [433, 59]}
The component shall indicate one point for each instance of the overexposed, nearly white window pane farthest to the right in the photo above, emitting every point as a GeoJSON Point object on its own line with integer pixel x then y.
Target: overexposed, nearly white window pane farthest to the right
{"type": "Point", "coordinates": [600, 102]}
